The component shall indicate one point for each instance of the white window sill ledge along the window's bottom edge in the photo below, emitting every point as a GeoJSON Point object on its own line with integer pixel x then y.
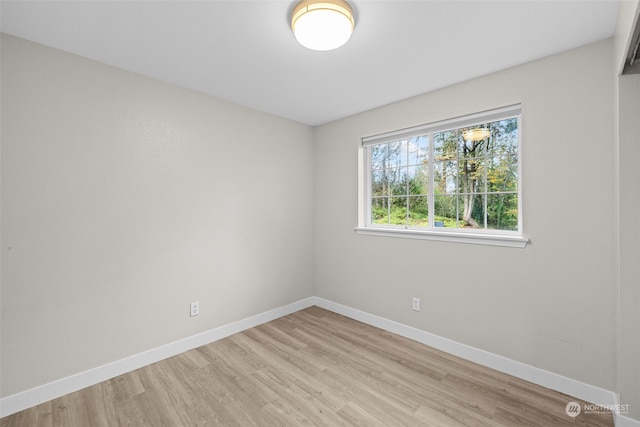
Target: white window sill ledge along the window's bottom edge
{"type": "Point", "coordinates": [444, 236]}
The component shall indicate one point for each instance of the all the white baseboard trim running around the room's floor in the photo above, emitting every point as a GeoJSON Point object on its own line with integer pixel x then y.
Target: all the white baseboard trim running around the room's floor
{"type": "Point", "coordinates": [35, 396]}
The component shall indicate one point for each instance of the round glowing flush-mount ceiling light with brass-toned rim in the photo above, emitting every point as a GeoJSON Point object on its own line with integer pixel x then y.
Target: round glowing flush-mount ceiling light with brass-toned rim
{"type": "Point", "coordinates": [322, 24]}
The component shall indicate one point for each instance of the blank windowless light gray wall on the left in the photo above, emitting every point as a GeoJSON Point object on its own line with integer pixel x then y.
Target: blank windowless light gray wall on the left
{"type": "Point", "coordinates": [123, 200]}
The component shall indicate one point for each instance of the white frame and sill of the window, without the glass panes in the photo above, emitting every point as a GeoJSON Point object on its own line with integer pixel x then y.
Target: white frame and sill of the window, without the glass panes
{"type": "Point", "coordinates": [491, 237]}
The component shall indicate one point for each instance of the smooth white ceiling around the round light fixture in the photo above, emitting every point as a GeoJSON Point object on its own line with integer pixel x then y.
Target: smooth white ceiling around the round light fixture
{"type": "Point", "coordinates": [244, 51]}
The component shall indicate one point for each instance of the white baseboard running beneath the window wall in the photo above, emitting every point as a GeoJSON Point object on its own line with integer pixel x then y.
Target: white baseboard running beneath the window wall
{"type": "Point", "coordinates": [529, 373]}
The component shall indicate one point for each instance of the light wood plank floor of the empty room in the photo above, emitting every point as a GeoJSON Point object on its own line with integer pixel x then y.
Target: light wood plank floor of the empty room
{"type": "Point", "coordinates": [313, 367]}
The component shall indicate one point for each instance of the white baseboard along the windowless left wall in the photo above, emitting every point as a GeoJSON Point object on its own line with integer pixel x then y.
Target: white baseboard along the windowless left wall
{"type": "Point", "coordinates": [35, 396]}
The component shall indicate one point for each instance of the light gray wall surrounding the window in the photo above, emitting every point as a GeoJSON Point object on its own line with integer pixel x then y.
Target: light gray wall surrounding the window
{"type": "Point", "coordinates": [550, 305]}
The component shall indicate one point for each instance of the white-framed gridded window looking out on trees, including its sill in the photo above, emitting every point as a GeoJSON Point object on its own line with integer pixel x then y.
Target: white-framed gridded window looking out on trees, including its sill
{"type": "Point", "coordinates": [452, 180]}
